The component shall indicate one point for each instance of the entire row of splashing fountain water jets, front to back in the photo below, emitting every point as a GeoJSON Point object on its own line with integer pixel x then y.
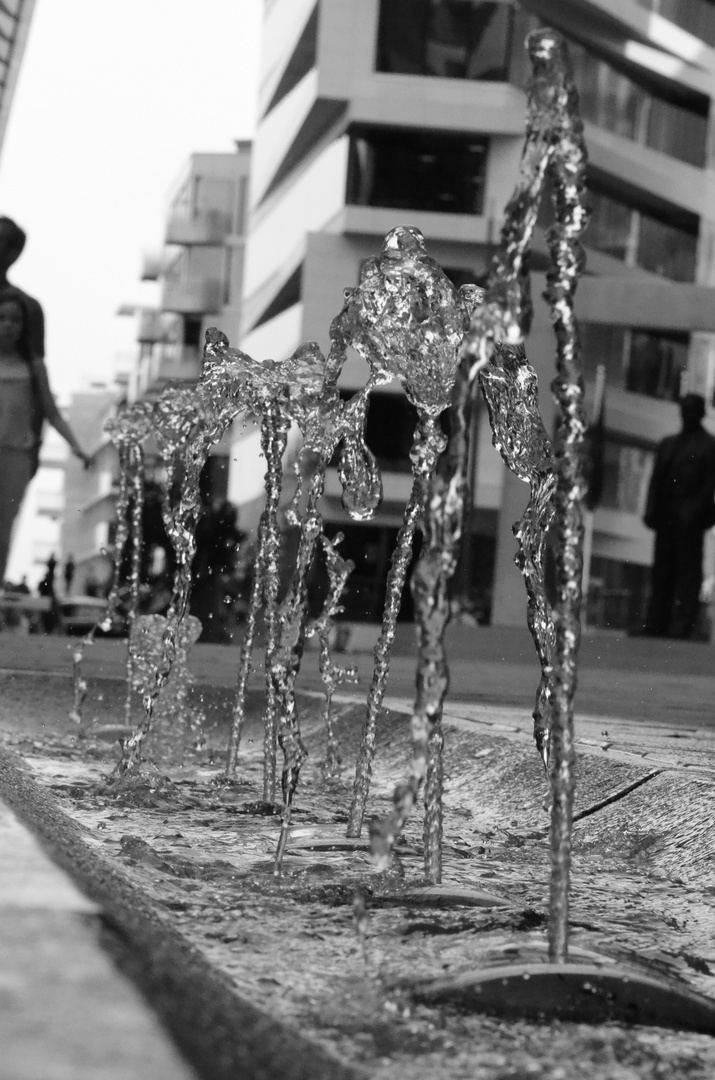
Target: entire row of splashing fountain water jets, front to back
{"type": "Point", "coordinates": [408, 322]}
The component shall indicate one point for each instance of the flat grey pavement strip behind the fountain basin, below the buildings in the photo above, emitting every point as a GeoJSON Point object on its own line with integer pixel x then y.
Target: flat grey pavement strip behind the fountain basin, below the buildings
{"type": "Point", "coordinates": [647, 682]}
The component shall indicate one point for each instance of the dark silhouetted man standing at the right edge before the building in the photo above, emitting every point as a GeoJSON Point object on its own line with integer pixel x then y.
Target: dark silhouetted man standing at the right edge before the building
{"type": "Point", "coordinates": [680, 509]}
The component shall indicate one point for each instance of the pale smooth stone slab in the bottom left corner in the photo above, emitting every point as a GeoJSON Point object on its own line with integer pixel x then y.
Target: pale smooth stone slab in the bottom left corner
{"type": "Point", "coordinates": [66, 1012]}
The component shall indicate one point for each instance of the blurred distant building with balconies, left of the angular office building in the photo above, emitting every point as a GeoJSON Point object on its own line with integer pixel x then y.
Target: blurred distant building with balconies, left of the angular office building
{"type": "Point", "coordinates": [198, 278]}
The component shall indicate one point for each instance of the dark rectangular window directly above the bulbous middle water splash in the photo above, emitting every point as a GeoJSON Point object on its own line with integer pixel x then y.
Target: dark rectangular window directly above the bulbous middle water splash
{"type": "Point", "coordinates": [417, 170]}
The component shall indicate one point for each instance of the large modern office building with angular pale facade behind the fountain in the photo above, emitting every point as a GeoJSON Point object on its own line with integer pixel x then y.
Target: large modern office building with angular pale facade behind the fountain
{"type": "Point", "coordinates": [412, 112]}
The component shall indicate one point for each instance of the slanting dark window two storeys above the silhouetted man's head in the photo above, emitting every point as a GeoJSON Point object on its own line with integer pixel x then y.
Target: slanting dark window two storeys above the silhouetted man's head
{"type": "Point", "coordinates": [643, 238]}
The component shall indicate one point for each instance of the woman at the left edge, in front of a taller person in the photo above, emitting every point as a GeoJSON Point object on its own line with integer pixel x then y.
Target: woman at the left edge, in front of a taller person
{"type": "Point", "coordinates": [26, 402]}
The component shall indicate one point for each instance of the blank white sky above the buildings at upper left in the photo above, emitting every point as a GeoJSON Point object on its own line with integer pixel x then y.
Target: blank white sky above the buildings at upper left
{"type": "Point", "coordinates": [113, 98]}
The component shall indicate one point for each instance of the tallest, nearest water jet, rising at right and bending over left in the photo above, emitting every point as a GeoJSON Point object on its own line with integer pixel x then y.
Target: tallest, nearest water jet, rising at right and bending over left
{"type": "Point", "coordinates": [554, 151]}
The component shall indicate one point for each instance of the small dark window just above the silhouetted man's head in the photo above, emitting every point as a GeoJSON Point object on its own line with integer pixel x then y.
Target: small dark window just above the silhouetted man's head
{"type": "Point", "coordinates": [645, 362]}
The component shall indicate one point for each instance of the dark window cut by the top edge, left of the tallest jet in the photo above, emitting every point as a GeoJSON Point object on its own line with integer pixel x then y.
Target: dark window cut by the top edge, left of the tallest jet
{"type": "Point", "coordinates": [467, 40]}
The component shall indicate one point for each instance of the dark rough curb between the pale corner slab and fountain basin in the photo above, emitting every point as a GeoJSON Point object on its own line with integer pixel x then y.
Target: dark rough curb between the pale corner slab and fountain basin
{"type": "Point", "coordinates": [221, 1034]}
